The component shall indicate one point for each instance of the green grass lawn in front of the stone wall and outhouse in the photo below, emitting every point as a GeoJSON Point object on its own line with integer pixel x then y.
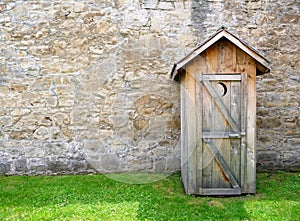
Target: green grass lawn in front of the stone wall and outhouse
{"type": "Point", "coordinates": [97, 197]}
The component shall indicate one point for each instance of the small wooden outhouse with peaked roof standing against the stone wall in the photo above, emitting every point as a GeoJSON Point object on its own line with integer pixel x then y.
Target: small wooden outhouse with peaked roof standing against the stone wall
{"type": "Point", "coordinates": [218, 115]}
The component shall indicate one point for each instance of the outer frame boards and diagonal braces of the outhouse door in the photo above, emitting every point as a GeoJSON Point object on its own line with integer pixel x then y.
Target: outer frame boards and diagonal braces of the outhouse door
{"type": "Point", "coordinates": [237, 133]}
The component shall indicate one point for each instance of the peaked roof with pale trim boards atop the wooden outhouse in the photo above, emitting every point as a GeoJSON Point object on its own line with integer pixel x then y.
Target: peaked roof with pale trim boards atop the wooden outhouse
{"type": "Point", "coordinates": [261, 61]}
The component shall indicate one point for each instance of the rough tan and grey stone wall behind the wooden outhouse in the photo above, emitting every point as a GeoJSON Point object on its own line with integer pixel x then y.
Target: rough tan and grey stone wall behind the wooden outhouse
{"type": "Point", "coordinates": [84, 85]}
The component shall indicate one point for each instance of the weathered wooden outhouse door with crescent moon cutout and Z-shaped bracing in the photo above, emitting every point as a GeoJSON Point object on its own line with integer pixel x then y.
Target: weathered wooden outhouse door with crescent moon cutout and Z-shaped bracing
{"type": "Point", "coordinates": [222, 133]}
